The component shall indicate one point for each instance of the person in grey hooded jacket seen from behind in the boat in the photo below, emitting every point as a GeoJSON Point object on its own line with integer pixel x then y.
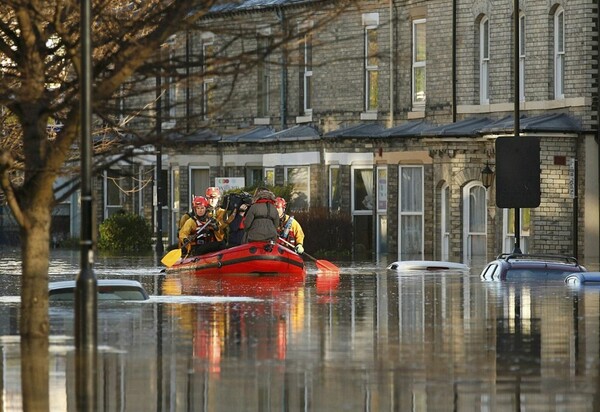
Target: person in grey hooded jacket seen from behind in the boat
{"type": "Point", "coordinates": [261, 220]}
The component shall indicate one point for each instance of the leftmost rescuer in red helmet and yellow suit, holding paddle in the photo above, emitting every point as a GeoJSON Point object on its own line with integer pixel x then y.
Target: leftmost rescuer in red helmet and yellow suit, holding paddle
{"type": "Point", "coordinates": [198, 234]}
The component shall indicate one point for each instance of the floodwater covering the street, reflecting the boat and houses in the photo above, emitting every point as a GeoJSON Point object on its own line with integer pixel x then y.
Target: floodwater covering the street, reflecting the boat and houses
{"type": "Point", "coordinates": [370, 340]}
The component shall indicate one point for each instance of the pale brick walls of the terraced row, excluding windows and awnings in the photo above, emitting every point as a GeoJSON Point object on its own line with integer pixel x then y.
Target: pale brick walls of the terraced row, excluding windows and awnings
{"type": "Point", "coordinates": [338, 81]}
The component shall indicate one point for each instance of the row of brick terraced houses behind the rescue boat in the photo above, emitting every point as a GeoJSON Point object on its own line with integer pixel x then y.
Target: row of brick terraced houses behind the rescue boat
{"type": "Point", "coordinates": [387, 110]}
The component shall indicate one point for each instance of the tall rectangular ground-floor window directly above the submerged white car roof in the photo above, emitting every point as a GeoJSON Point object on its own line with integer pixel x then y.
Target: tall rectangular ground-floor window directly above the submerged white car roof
{"type": "Point", "coordinates": [411, 219]}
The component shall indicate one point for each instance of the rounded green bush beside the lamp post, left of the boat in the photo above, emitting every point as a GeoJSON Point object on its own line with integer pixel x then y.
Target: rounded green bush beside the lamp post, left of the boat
{"type": "Point", "coordinates": [125, 232]}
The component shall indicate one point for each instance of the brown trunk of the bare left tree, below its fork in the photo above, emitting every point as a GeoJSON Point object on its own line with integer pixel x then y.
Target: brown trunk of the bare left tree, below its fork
{"type": "Point", "coordinates": [34, 325]}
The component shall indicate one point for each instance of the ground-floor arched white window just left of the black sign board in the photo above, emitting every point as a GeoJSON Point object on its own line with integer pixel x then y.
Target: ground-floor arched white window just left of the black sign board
{"type": "Point", "coordinates": [475, 221]}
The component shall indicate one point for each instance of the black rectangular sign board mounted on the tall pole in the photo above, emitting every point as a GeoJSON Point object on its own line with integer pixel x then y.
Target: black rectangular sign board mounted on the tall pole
{"type": "Point", "coordinates": [517, 172]}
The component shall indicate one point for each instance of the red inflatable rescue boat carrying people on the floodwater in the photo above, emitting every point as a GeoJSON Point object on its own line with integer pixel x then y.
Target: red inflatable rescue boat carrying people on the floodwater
{"type": "Point", "coordinates": [254, 257]}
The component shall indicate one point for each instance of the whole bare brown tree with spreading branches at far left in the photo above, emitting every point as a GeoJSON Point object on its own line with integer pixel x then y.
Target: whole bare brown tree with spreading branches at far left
{"type": "Point", "coordinates": [40, 67]}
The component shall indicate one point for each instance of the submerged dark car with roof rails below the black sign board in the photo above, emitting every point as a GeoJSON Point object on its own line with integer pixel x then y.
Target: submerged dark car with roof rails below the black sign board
{"type": "Point", "coordinates": [516, 266]}
